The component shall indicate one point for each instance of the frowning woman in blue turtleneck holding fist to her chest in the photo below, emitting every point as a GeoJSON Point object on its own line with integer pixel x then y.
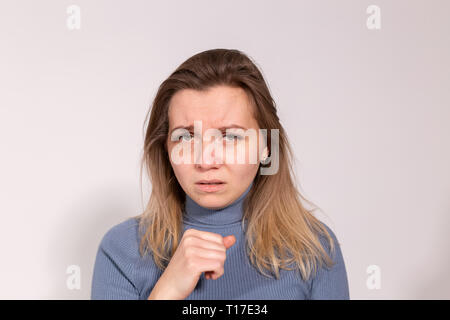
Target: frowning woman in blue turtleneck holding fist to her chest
{"type": "Point", "coordinates": [216, 229]}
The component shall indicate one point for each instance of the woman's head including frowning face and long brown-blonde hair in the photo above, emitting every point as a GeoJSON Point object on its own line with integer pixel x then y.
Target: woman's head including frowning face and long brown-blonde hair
{"type": "Point", "coordinates": [224, 88]}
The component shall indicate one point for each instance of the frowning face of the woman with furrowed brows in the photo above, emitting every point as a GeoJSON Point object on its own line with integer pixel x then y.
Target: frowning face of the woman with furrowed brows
{"type": "Point", "coordinates": [219, 107]}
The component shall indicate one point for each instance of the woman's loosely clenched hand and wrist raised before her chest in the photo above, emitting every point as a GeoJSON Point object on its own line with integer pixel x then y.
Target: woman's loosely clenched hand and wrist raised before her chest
{"type": "Point", "coordinates": [198, 251]}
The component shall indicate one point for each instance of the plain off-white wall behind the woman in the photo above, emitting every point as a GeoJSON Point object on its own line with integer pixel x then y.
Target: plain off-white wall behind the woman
{"type": "Point", "coordinates": [366, 111]}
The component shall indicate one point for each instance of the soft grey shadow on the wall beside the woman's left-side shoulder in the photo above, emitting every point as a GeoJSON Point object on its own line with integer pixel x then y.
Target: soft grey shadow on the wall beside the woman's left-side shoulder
{"type": "Point", "coordinates": [79, 232]}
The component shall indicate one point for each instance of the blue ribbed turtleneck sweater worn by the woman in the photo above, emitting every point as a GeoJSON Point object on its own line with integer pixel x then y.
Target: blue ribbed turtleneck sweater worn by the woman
{"type": "Point", "coordinates": [121, 273]}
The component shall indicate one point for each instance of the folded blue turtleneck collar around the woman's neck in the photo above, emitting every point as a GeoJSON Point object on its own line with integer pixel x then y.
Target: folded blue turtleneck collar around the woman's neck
{"type": "Point", "coordinates": [229, 214]}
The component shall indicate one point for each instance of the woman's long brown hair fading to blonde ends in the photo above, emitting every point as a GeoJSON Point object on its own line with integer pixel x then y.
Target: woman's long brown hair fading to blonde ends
{"type": "Point", "coordinates": [280, 230]}
